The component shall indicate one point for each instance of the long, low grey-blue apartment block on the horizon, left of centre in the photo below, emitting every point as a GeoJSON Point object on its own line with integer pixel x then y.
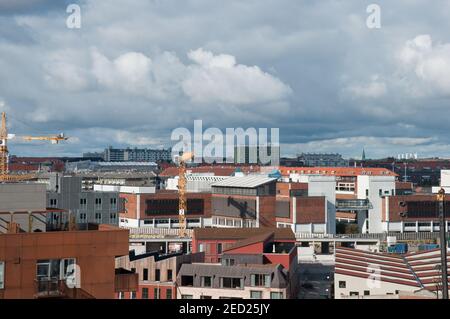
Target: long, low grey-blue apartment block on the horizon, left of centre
{"type": "Point", "coordinates": [137, 155]}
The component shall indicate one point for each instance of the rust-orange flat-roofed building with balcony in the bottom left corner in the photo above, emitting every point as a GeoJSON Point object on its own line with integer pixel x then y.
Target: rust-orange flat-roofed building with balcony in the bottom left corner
{"type": "Point", "coordinates": [35, 265]}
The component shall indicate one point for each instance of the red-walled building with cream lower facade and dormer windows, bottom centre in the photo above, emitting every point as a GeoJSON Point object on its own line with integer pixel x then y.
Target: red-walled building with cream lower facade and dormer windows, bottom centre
{"type": "Point", "coordinates": [257, 263]}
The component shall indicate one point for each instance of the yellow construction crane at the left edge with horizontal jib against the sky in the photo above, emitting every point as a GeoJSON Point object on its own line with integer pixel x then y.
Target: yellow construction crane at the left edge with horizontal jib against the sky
{"type": "Point", "coordinates": [5, 176]}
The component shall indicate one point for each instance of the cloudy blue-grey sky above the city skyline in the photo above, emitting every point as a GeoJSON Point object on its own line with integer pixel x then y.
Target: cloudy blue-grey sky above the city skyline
{"type": "Point", "coordinates": [134, 72]}
